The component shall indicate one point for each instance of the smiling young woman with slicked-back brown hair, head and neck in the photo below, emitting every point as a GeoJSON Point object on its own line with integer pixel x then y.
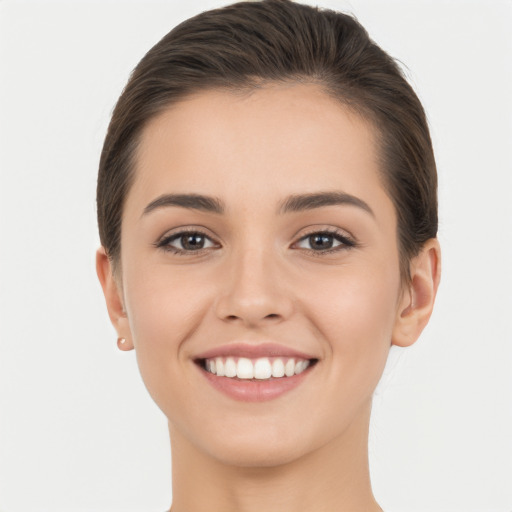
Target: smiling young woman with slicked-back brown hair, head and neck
{"type": "Point", "coordinates": [268, 217]}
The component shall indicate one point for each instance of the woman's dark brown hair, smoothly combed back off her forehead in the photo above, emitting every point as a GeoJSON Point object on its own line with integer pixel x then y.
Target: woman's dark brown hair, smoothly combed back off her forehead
{"type": "Point", "coordinates": [247, 44]}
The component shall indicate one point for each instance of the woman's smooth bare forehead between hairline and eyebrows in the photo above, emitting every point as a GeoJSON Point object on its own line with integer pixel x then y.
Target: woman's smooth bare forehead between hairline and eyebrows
{"type": "Point", "coordinates": [276, 140]}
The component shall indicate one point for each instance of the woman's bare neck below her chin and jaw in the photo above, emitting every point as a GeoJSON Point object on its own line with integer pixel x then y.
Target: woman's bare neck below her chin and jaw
{"type": "Point", "coordinates": [332, 478]}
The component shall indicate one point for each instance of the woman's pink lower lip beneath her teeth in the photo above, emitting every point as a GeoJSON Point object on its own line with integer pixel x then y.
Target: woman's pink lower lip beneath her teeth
{"type": "Point", "coordinates": [245, 390]}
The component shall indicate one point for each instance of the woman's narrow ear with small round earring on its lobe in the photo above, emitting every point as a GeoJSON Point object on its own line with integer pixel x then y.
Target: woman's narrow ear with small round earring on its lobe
{"type": "Point", "coordinates": [114, 300]}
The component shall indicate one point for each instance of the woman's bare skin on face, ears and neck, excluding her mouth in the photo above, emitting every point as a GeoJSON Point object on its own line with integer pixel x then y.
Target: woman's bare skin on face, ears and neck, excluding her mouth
{"type": "Point", "coordinates": [254, 276]}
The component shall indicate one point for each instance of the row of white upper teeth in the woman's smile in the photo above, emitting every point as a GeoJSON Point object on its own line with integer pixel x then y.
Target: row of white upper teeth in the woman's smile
{"type": "Point", "coordinates": [262, 368]}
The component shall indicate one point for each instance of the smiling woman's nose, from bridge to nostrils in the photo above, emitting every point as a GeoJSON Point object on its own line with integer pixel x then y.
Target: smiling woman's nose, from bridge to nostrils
{"type": "Point", "coordinates": [254, 290]}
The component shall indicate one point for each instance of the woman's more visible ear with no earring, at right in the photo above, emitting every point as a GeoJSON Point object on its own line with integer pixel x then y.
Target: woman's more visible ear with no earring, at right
{"type": "Point", "coordinates": [417, 302]}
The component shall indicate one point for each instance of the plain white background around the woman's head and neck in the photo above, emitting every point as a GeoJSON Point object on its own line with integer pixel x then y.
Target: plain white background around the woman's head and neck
{"type": "Point", "coordinates": [78, 431]}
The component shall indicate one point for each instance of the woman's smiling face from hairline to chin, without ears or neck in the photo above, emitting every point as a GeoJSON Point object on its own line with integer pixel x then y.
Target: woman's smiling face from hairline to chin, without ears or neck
{"type": "Point", "coordinates": [253, 220]}
